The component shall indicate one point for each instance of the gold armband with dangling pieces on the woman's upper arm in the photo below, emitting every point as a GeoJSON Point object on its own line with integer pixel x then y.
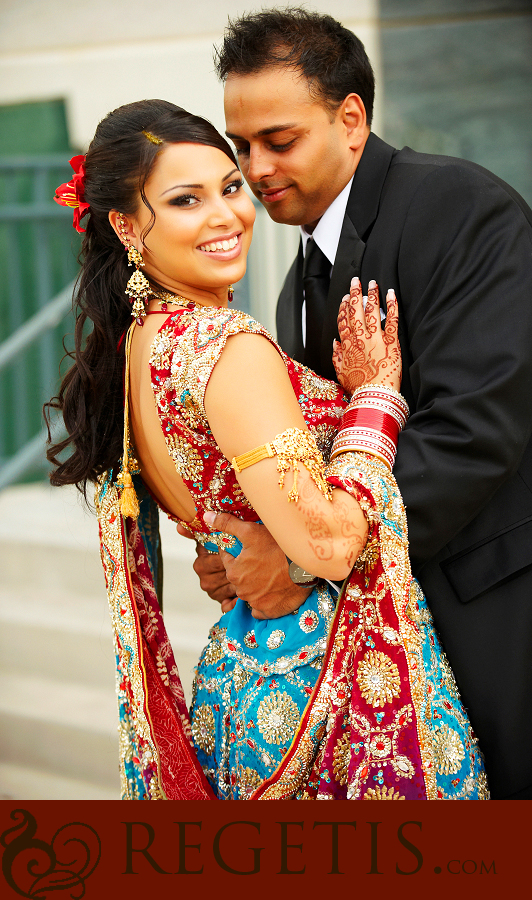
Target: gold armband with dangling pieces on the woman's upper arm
{"type": "Point", "coordinates": [291, 447]}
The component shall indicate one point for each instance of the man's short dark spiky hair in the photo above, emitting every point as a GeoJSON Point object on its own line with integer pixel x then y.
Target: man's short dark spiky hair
{"type": "Point", "coordinates": [330, 56]}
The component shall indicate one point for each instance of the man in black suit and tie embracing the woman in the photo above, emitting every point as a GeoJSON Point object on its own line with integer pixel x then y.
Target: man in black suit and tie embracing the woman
{"type": "Point", "coordinates": [455, 243]}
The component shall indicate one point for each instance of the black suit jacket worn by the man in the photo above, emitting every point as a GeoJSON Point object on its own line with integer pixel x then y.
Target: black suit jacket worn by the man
{"type": "Point", "coordinates": [455, 242]}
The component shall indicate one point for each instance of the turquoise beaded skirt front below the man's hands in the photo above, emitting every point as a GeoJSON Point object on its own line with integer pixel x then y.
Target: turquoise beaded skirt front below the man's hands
{"type": "Point", "coordinates": [257, 696]}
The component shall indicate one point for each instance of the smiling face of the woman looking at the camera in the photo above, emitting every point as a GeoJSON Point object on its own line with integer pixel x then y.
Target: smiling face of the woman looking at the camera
{"type": "Point", "coordinates": [203, 220]}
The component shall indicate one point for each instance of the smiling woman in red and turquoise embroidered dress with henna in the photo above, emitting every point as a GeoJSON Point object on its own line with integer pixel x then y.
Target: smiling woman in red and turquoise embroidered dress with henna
{"type": "Point", "coordinates": [194, 409]}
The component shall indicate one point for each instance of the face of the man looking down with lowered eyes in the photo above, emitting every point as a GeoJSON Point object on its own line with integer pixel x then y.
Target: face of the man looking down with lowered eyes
{"type": "Point", "coordinates": [294, 153]}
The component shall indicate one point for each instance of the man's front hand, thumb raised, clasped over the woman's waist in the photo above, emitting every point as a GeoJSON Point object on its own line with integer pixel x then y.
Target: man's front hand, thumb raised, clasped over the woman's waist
{"type": "Point", "coordinates": [260, 572]}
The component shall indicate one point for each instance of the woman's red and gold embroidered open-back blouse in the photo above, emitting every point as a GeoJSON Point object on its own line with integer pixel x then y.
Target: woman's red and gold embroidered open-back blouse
{"type": "Point", "coordinates": [183, 356]}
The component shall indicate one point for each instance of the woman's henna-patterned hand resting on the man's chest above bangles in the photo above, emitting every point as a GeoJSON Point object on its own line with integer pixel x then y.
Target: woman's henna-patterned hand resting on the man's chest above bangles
{"type": "Point", "coordinates": [365, 353]}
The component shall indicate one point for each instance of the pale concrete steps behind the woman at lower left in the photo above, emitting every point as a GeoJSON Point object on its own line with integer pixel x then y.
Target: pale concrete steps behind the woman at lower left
{"type": "Point", "coordinates": [58, 717]}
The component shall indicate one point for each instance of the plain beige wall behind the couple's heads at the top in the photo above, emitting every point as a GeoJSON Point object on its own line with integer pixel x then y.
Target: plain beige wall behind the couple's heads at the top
{"type": "Point", "coordinates": [100, 54]}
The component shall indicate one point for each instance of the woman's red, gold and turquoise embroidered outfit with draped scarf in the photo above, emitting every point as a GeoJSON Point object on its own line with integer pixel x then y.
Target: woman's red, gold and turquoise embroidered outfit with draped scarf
{"type": "Point", "coordinates": [383, 718]}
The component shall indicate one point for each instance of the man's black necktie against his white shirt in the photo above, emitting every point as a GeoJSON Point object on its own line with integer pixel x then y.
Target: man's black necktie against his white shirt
{"type": "Point", "coordinates": [316, 280]}
